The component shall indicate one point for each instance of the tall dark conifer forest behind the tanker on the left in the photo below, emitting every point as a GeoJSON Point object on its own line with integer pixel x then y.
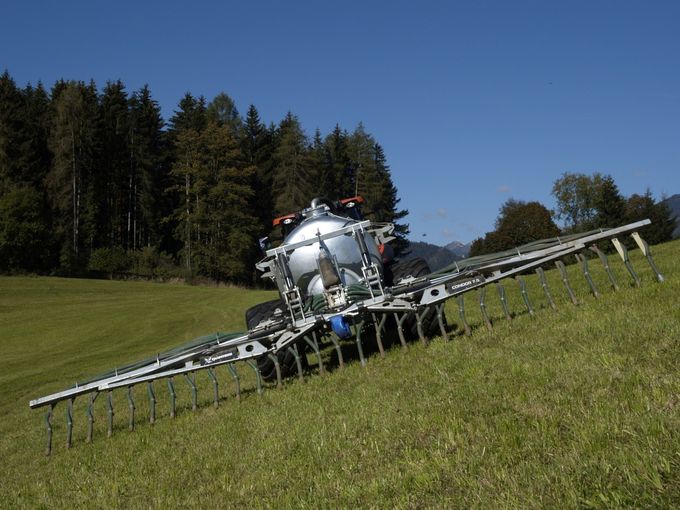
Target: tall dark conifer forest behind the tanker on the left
{"type": "Point", "coordinates": [96, 180]}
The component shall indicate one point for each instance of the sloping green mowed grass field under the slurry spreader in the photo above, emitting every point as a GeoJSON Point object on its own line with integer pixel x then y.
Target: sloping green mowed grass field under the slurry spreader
{"type": "Point", "coordinates": [574, 408]}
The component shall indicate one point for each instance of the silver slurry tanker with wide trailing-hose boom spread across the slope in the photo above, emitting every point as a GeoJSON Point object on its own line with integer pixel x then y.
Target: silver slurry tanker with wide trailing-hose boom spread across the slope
{"type": "Point", "coordinates": [336, 276]}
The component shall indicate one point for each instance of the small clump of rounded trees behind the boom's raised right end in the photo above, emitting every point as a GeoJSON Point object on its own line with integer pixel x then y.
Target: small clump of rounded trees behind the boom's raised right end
{"type": "Point", "coordinates": [584, 203]}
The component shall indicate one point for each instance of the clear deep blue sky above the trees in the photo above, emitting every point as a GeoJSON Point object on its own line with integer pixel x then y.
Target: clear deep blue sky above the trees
{"type": "Point", "coordinates": [474, 101]}
